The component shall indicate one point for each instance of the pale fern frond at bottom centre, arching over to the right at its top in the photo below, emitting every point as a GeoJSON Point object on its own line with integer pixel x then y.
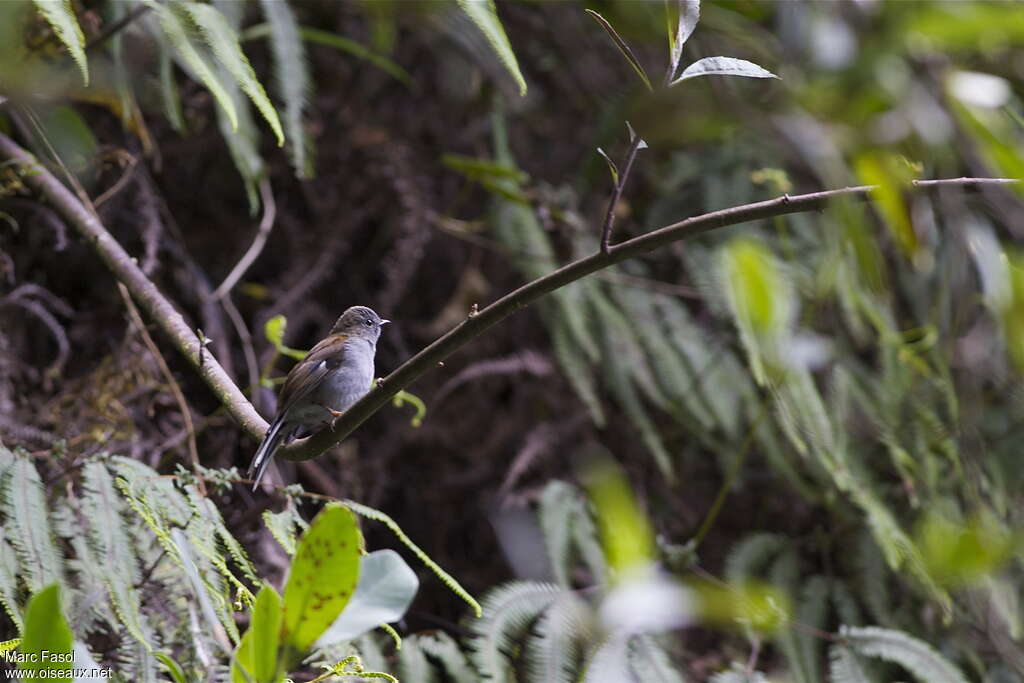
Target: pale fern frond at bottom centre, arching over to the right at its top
{"type": "Point", "coordinates": [508, 613]}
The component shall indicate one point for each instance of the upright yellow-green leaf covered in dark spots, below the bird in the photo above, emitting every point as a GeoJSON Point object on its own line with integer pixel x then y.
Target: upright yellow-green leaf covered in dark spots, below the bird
{"type": "Point", "coordinates": [323, 578]}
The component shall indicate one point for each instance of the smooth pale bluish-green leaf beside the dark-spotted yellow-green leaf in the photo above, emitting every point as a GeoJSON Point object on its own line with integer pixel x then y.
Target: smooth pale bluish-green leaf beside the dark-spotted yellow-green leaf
{"type": "Point", "coordinates": [387, 588]}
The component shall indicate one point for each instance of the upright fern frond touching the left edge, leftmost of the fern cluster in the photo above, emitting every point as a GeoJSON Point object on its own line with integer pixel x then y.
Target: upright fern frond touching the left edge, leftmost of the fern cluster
{"type": "Point", "coordinates": [27, 522]}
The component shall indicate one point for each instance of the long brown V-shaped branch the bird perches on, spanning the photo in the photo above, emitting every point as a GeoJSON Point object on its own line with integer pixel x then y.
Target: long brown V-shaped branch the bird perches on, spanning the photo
{"type": "Point", "coordinates": [184, 338]}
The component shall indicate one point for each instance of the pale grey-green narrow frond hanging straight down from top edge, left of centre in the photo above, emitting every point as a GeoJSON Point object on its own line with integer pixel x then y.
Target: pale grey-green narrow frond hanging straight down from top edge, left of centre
{"type": "Point", "coordinates": [292, 81]}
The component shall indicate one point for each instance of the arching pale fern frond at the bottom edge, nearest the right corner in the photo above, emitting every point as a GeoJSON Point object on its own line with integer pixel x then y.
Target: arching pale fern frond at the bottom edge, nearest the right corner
{"type": "Point", "coordinates": [913, 655]}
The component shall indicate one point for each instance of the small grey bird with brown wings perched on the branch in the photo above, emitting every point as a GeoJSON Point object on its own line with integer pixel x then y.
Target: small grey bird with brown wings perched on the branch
{"type": "Point", "coordinates": [321, 388]}
